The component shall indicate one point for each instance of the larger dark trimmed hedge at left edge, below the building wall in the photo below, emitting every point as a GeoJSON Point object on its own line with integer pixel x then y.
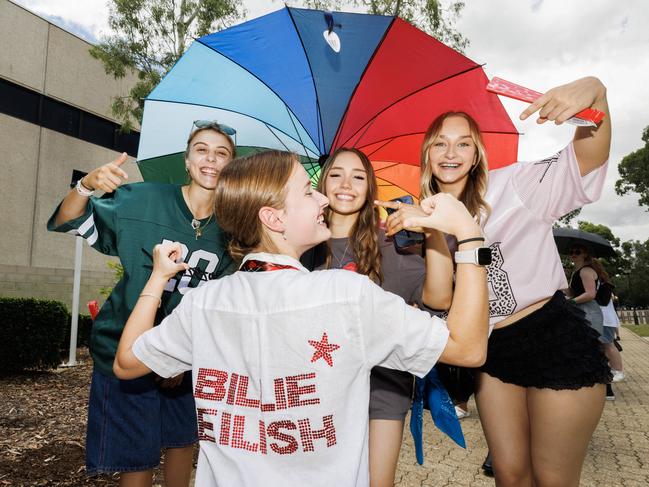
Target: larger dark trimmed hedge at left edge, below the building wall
{"type": "Point", "coordinates": [31, 334]}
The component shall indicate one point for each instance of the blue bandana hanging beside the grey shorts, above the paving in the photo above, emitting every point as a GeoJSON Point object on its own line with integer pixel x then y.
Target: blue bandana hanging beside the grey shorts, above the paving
{"type": "Point", "coordinates": [431, 394]}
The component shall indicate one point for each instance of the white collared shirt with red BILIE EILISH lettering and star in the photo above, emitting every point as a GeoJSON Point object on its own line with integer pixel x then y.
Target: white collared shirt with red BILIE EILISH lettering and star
{"type": "Point", "coordinates": [281, 363]}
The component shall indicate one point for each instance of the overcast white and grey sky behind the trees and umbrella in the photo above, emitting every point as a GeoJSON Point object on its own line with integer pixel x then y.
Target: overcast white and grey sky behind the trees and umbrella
{"type": "Point", "coordinates": [536, 43]}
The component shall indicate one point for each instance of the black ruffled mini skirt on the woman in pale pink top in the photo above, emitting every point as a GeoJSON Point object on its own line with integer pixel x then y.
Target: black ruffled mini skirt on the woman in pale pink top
{"type": "Point", "coordinates": [553, 347]}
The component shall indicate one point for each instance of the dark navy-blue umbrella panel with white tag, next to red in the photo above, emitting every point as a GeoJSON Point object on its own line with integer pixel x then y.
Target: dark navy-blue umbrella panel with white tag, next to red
{"type": "Point", "coordinates": [336, 75]}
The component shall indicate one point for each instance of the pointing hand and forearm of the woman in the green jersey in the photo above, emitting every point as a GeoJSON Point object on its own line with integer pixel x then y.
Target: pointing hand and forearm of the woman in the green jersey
{"type": "Point", "coordinates": [106, 178]}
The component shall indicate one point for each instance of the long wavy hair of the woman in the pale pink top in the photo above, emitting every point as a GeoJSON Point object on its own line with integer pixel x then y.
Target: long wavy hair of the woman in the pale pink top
{"type": "Point", "coordinates": [476, 187]}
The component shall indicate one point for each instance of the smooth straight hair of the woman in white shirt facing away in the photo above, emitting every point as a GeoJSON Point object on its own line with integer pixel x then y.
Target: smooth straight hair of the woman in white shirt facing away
{"type": "Point", "coordinates": [244, 187]}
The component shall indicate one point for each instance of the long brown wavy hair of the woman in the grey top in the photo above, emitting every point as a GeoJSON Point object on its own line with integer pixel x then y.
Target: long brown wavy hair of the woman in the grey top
{"type": "Point", "coordinates": [364, 233]}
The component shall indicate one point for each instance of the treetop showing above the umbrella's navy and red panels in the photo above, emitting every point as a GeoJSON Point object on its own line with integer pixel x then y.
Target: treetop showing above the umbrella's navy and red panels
{"type": "Point", "coordinates": [437, 17]}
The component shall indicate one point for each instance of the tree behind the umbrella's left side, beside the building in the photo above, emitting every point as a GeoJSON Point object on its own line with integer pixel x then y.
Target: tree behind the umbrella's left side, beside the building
{"type": "Point", "coordinates": [149, 37]}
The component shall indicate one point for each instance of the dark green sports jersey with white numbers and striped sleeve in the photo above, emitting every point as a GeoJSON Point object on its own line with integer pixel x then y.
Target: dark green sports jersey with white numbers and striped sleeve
{"type": "Point", "coordinates": [128, 223]}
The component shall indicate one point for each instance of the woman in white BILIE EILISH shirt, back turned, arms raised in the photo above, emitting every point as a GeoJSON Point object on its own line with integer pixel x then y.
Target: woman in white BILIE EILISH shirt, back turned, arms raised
{"type": "Point", "coordinates": [282, 358]}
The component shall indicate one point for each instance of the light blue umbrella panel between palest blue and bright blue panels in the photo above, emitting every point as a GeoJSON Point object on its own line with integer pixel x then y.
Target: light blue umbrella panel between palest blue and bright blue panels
{"type": "Point", "coordinates": [192, 81]}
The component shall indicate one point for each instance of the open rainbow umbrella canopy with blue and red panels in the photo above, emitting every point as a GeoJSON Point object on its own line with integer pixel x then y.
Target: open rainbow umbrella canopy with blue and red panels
{"type": "Point", "coordinates": [310, 81]}
